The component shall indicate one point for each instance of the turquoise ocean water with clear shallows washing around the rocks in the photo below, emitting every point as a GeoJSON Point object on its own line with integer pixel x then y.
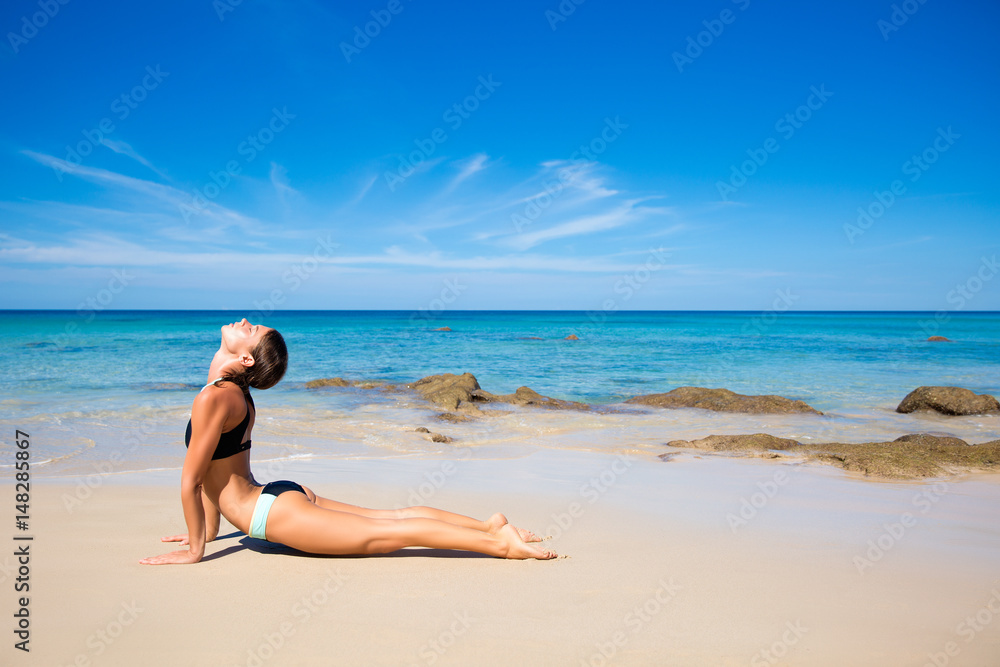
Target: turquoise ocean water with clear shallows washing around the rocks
{"type": "Point", "coordinates": [86, 387]}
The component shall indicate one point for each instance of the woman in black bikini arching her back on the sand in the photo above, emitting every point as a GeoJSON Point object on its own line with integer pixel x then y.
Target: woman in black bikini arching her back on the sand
{"type": "Point", "coordinates": [216, 479]}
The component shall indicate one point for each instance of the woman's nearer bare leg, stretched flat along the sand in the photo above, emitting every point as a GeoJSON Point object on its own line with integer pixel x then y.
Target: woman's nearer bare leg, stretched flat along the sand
{"type": "Point", "coordinates": [296, 521]}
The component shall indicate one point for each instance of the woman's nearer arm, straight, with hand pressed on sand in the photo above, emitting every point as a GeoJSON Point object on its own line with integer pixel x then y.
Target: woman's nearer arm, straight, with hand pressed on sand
{"type": "Point", "coordinates": [208, 415]}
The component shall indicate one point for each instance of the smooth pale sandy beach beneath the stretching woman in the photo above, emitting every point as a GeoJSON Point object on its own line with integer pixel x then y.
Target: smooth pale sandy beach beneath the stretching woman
{"type": "Point", "coordinates": [695, 561]}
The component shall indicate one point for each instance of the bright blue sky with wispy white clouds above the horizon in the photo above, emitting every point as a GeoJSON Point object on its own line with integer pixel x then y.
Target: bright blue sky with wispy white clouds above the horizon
{"type": "Point", "coordinates": [513, 156]}
